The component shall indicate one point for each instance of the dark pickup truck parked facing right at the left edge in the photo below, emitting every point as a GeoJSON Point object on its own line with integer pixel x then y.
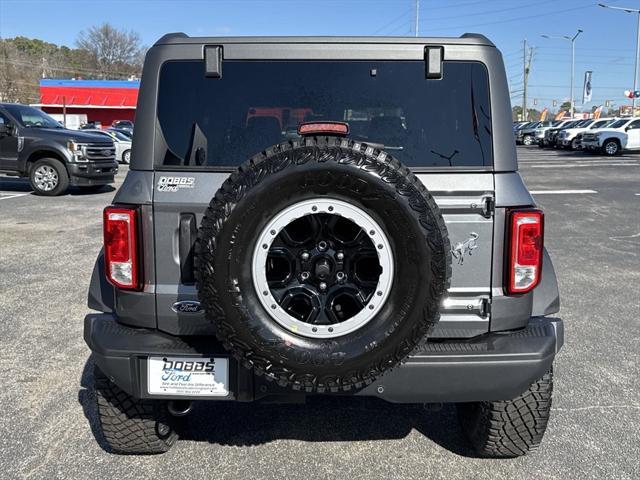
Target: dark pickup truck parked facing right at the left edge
{"type": "Point", "coordinates": [35, 146]}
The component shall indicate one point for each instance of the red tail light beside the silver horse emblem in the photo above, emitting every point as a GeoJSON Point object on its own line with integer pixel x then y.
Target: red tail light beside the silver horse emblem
{"type": "Point", "coordinates": [525, 250]}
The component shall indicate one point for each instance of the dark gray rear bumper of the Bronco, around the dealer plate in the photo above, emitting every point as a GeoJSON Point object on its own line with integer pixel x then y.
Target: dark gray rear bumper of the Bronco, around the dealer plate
{"type": "Point", "coordinates": [494, 366]}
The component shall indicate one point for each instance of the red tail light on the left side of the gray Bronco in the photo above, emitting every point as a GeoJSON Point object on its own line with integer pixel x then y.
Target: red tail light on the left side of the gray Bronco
{"type": "Point", "coordinates": [121, 246]}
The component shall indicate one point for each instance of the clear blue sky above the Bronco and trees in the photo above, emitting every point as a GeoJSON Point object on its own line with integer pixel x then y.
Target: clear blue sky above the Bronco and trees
{"type": "Point", "coordinates": [606, 47]}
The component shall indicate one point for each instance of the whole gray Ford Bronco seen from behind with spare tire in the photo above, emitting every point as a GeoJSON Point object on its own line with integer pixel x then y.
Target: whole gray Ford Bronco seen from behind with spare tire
{"type": "Point", "coordinates": [324, 216]}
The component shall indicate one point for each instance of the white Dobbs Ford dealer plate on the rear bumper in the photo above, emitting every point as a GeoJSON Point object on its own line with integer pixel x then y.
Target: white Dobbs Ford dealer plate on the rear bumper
{"type": "Point", "coordinates": [189, 376]}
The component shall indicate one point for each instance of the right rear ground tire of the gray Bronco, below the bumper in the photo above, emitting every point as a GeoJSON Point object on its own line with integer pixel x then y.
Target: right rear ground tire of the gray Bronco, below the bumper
{"type": "Point", "coordinates": [509, 428]}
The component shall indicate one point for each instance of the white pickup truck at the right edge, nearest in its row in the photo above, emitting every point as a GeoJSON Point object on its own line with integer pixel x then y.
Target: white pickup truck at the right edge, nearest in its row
{"type": "Point", "coordinates": [623, 134]}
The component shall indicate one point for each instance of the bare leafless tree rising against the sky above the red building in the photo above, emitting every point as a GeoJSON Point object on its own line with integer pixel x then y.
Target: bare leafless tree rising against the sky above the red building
{"type": "Point", "coordinates": [116, 52]}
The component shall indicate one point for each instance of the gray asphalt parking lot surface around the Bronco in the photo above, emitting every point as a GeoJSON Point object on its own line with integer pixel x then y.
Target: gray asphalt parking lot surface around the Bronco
{"type": "Point", "coordinates": [48, 426]}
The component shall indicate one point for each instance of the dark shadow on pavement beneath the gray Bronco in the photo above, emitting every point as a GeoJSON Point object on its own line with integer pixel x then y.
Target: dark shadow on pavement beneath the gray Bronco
{"type": "Point", "coordinates": [320, 419]}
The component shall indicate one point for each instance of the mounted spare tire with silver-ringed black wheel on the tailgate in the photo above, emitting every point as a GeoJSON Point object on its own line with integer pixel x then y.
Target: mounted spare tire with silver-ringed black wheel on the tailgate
{"type": "Point", "coordinates": [322, 263]}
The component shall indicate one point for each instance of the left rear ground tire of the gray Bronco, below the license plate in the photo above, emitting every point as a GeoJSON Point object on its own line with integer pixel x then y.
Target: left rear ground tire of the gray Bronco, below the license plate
{"type": "Point", "coordinates": [132, 425]}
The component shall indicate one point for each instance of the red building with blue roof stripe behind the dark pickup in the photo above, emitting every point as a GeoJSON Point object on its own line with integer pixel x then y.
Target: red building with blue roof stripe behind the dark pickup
{"type": "Point", "coordinates": [101, 100]}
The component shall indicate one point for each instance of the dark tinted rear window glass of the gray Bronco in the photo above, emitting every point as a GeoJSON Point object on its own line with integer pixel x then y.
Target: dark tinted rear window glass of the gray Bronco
{"type": "Point", "coordinates": [209, 122]}
